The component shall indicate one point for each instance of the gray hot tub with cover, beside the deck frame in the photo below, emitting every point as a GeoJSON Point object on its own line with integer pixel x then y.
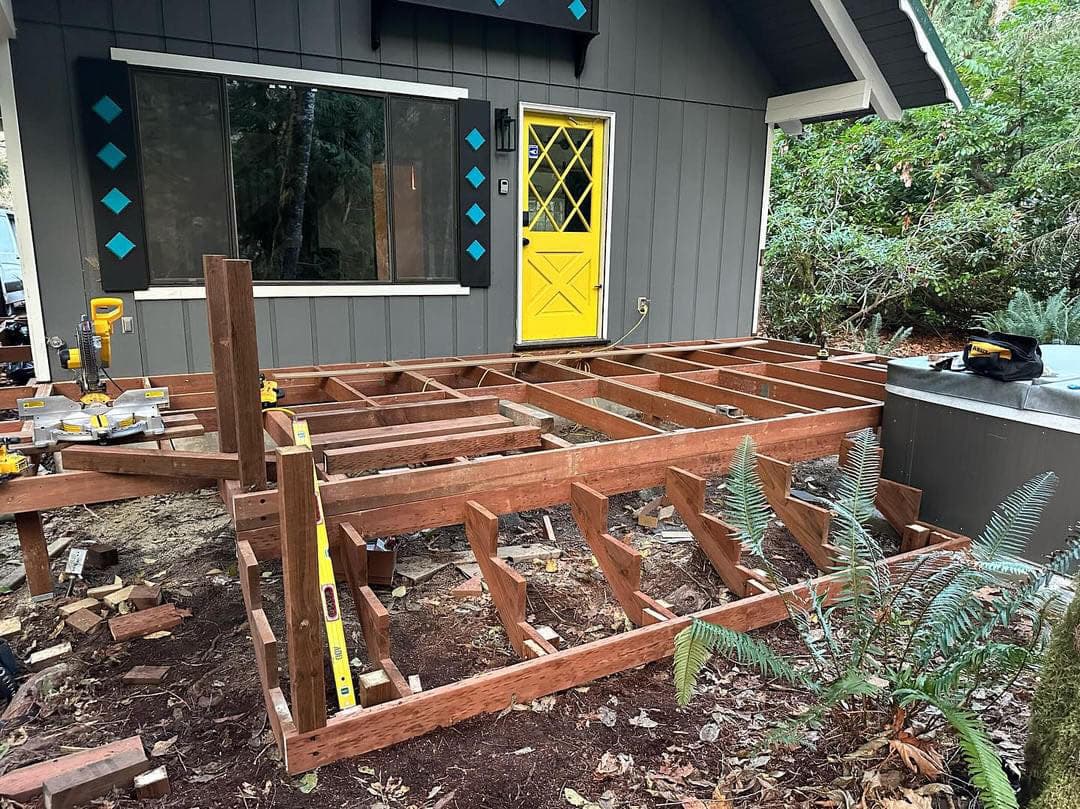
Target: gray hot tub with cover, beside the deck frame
{"type": "Point", "coordinates": [968, 441]}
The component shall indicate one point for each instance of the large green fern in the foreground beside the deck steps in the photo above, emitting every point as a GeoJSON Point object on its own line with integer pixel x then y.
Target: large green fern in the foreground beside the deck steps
{"type": "Point", "coordinates": [907, 646]}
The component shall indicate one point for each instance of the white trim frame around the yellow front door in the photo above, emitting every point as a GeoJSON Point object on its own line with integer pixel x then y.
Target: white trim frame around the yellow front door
{"type": "Point", "coordinates": [609, 118]}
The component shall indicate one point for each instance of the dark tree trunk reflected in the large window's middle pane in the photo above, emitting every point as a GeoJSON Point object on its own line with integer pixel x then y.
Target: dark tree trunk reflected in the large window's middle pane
{"type": "Point", "coordinates": [289, 234]}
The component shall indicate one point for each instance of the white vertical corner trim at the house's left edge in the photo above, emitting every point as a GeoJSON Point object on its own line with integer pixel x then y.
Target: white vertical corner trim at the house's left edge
{"type": "Point", "coordinates": [24, 233]}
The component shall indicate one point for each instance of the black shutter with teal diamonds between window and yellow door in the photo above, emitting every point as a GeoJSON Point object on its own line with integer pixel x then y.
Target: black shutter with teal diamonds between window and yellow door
{"type": "Point", "coordinates": [475, 193]}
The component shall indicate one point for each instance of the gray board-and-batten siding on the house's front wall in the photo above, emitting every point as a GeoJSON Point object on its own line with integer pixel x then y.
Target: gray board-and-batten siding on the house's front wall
{"type": "Point", "coordinates": [690, 99]}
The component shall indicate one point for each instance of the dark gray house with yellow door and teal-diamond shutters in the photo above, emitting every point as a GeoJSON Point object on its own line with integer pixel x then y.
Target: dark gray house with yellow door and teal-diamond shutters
{"type": "Point", "coordinates": [424, 178]}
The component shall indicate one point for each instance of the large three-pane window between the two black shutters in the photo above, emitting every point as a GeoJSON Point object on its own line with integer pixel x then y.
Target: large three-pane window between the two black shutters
{"type": "Point", "coordinates": [310, 184]}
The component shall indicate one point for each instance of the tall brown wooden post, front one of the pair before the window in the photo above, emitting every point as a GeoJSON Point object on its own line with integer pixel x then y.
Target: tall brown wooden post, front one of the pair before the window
{"type": "Point", "coordinates": [245, 350]}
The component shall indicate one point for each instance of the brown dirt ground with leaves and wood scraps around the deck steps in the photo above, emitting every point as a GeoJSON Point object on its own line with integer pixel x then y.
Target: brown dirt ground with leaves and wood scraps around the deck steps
{"type": "Point", "coordinates": [617, 743]}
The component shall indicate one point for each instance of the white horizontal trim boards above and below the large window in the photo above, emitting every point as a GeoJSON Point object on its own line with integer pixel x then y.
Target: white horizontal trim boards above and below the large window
{"type": "Point", "coordinates": [295, 76]}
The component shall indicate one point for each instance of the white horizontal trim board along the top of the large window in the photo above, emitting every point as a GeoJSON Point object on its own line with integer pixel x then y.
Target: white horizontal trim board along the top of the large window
{"type": "Point", "coordinates": [287, 75]}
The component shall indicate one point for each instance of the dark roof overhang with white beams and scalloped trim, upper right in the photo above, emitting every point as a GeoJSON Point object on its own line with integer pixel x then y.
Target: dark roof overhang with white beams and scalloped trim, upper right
{"type": "Point", "coordinates": [846, 59]}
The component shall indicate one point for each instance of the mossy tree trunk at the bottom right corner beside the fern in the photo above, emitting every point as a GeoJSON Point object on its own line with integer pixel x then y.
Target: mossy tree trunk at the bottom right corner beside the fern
{"type": "Point", "coordinates": [1052, 780]}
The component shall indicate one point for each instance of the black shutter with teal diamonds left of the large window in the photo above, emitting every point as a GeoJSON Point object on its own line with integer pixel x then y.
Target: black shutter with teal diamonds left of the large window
{"type": "Point", "coordinates": [109, 133]}
